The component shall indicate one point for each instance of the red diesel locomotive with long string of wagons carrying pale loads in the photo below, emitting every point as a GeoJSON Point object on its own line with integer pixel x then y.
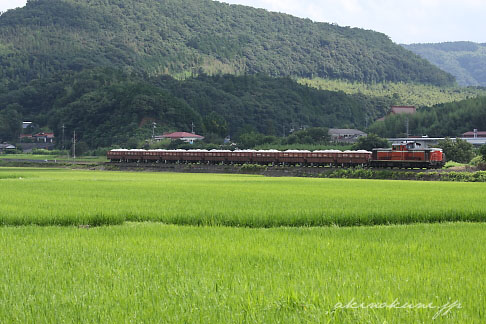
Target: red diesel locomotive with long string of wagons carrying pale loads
{"type": "Point", "coordinates": [404, 155]}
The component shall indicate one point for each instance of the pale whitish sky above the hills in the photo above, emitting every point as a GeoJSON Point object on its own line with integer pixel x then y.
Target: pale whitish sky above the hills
{"type": "Point", "coordinates": [405, 21]}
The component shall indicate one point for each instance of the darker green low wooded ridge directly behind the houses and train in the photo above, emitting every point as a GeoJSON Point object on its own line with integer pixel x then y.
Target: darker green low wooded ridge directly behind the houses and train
{"type": "Point", "coordinates": [109, 107]}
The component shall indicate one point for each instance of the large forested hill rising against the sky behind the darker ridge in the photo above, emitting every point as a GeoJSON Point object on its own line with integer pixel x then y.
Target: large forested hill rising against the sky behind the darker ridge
{"type": "Point", "coordinates": [184, 37]}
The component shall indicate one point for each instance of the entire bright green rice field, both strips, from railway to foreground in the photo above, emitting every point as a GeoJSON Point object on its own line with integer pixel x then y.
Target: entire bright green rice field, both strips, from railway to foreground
{"type": "Point", "coordinates": [264, 250]}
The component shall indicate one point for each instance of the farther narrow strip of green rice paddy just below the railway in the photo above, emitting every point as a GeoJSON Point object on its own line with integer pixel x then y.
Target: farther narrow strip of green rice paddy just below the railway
{"type": "Point", "coordinates": [66, 197]}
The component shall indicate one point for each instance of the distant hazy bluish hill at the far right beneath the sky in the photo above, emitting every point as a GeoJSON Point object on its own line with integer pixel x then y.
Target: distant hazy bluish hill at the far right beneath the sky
{"type": "Point", "coordinates": [465, 60]}
